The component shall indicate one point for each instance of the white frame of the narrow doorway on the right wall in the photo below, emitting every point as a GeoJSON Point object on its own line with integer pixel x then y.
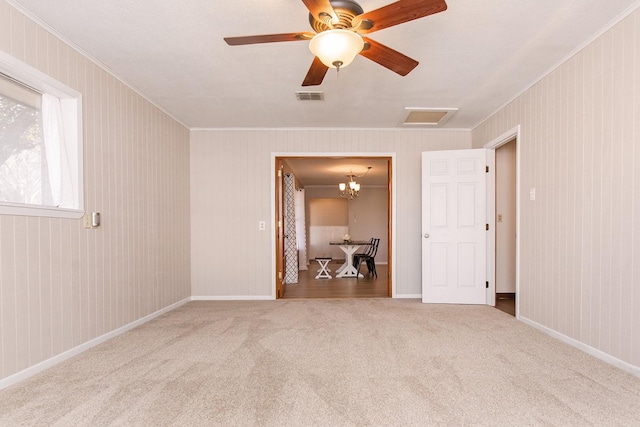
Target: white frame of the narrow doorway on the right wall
{"type": "Point", "coordinates": [512, 134]}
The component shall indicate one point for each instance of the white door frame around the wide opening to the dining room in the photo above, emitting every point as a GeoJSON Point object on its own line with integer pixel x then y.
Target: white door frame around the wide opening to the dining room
{"type": "Point", "coordinates": [391, 205]}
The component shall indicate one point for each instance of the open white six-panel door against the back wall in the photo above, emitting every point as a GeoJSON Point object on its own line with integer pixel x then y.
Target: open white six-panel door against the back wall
{"type": "Point", "coordinates": [454, 226]}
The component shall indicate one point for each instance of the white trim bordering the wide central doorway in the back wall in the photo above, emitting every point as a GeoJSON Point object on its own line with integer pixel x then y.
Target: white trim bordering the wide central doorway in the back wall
{"type": "Point", "coordinates": [338, 154]}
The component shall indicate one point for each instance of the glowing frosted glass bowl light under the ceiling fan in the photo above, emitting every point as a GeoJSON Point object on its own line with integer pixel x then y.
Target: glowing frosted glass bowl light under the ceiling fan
{"type": "Point", "coordinates": [336, 48]}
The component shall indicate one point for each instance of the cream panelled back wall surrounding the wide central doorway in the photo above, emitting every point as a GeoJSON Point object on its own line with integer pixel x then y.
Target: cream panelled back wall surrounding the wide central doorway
{"type": "Point", "coordinates": [230, 193]}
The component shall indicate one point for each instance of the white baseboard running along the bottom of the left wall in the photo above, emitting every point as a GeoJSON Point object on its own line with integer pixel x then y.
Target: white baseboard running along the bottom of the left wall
{"type": "Point", "coordinates": [46, 364]}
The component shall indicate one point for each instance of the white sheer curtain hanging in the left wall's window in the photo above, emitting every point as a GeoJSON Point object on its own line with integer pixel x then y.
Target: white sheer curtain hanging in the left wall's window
{"type": "Point", "coordinates": [57, 153]}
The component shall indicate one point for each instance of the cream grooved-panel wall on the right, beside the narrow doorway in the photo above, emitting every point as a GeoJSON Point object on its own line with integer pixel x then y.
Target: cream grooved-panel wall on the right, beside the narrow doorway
{"type": "Point", "coordinates": [580, 147]}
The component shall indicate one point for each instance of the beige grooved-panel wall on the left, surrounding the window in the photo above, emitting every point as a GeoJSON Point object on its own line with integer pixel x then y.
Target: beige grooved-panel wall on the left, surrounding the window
{"type": "Point", "coordinates": [62, 285]}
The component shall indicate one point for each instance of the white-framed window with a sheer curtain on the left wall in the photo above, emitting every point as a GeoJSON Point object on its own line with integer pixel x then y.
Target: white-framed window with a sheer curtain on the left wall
{"type": "Point", "coordinates": [40, 144]}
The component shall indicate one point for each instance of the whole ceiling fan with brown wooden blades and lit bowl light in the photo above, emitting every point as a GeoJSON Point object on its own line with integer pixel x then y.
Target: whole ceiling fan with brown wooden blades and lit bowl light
{"type": "Point", "coordinates": [345, 20]}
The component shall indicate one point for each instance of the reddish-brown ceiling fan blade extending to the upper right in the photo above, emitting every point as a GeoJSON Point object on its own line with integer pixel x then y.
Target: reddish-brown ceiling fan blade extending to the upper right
{"type": "Point", "coordinates": [398, 13]}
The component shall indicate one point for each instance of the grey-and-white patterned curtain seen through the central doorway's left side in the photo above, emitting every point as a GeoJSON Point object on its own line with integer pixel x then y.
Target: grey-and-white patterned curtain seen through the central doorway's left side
{"type": "Point", "coordinates": [290, 243]}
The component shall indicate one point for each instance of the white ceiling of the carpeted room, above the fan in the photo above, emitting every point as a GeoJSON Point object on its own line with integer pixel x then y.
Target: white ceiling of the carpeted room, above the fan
{"type": "Point", "coordinates": [475, 56]}
